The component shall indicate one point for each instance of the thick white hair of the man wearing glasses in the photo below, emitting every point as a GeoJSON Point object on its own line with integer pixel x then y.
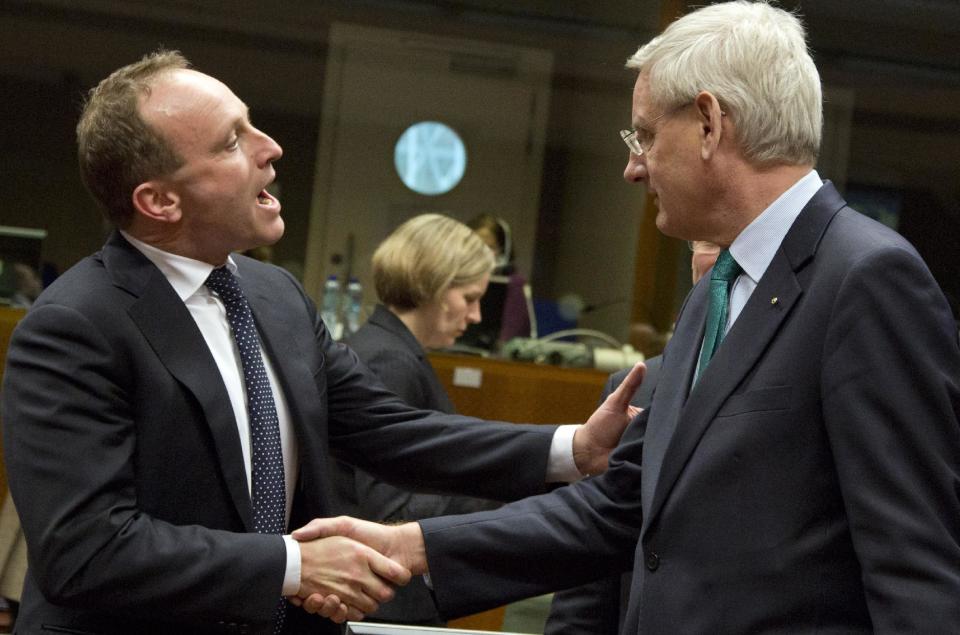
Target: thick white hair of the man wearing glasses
{"type": "Point", "coordinates": [753, 58]}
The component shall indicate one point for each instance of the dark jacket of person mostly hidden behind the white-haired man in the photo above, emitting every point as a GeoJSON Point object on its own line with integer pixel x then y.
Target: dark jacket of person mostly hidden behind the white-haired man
{"type": "Point", "coordinates": [598, 608]}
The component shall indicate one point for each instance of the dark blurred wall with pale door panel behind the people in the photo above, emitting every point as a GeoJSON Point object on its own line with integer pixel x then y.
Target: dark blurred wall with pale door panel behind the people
{"type": "Point", "coordinates": [891, 69]}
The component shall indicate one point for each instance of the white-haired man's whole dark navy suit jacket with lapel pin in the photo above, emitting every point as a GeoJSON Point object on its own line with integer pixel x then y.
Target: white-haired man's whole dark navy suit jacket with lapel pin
{"type": "Point", "coordinates": [809, 481]}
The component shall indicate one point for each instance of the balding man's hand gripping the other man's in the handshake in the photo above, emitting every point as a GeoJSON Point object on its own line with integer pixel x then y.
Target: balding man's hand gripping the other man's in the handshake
{"type": "Point", "coordinates": [352, 578]}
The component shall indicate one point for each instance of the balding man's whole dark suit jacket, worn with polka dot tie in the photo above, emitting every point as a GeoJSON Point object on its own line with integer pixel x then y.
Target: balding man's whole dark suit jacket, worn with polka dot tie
{"type": "Point", "coordinates": [125, 463]}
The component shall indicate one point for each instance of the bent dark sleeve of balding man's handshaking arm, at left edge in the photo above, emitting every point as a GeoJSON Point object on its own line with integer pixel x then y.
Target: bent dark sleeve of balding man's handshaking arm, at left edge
{"type": "Point", "coordinates": [71, 441]}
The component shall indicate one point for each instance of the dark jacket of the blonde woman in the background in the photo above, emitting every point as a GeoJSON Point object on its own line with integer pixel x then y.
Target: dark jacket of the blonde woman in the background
{"type": "Point", "coordinates": [390, 350]}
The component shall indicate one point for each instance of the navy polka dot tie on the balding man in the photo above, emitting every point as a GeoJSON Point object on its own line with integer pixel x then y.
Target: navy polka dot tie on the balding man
{"type": "Point", "coordinates": [269, 493]}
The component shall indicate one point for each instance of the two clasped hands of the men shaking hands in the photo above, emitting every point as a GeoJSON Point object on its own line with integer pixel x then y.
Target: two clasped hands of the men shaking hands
{"type": "Point", "coordinates": [349, 566]}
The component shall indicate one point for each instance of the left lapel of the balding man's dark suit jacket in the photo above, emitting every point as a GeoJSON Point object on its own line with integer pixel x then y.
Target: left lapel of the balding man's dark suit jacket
{"type": "Point", "coordinates": [170, 330]}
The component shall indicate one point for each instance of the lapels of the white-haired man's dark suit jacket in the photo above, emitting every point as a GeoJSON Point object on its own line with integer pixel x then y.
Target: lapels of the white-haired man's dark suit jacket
{"type": "Point", "coordinates": [684, 420]}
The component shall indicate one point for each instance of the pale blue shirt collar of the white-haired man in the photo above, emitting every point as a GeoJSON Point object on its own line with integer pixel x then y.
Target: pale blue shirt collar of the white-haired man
{"type": "Point", "coordinates": [758, 243]}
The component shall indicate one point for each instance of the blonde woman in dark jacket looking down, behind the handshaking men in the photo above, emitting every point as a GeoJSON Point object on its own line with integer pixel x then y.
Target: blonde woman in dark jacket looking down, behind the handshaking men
{"type": "Point", "coordinates": [429, 274]}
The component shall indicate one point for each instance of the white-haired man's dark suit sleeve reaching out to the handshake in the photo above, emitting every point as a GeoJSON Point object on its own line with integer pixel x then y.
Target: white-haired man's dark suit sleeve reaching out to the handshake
{"type": "Point", "coordinates": [572, 535]}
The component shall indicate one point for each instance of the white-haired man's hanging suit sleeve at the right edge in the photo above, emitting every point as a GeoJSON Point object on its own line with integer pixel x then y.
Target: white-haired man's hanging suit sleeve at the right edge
{"type": "Point", "coordinates": [890, 403]}
